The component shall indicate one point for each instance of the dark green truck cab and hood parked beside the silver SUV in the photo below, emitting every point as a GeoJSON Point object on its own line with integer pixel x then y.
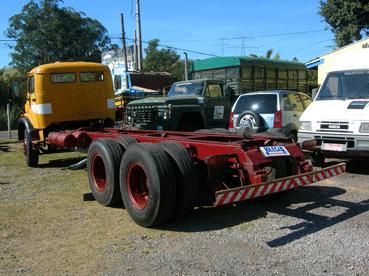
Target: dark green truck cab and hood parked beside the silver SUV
{"type": "Point", "coordinates": [188, 106]}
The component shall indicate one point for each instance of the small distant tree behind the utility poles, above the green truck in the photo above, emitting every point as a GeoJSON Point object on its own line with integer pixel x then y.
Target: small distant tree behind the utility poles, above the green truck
{"type": "Point", "coordinates": [163, 60]}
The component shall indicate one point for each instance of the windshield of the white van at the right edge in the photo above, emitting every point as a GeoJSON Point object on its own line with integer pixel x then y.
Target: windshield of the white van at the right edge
{"type": "Point", "coordinates": [345, 85]}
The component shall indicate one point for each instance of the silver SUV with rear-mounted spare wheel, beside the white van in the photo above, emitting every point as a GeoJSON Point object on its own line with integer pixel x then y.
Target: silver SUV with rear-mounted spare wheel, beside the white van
{"type": "Point", "coordinates": [277, 110]}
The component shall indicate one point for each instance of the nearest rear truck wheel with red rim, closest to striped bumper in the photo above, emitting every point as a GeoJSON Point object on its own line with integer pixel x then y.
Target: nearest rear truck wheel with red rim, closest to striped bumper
{"type": "Point", "coordinates": [147, 184]}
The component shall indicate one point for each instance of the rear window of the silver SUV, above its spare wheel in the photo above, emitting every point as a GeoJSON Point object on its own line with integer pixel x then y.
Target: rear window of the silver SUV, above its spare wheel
{"type": "Point", "coordinates": [258, 103]}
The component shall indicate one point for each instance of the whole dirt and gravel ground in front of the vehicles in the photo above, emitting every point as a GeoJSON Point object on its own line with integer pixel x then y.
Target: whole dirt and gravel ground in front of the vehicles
{"type": "Point", "coordinates": [46, 228]}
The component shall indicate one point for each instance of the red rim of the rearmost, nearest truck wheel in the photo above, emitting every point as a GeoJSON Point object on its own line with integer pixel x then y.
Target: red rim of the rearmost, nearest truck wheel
{"type": "Point", "coordinates": [137, 186]}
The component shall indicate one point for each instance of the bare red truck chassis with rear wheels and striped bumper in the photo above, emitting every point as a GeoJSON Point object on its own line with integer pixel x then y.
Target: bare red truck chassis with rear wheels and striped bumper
{"type": "Point", "coordinates": [161, 175]}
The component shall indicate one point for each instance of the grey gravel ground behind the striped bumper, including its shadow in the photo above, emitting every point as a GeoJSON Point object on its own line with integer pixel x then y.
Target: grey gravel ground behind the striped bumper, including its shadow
{"type": "Point", "coordinates": [323, 229]}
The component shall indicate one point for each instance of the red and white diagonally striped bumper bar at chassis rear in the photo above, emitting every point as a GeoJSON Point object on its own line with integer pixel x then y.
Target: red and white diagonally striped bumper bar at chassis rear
{"type": "Point", "coordinates": [233, 195]}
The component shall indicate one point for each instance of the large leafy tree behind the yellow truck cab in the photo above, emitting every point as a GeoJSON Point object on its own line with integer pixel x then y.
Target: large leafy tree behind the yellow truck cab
{"type": "Point", "coordinates": [45, 32]}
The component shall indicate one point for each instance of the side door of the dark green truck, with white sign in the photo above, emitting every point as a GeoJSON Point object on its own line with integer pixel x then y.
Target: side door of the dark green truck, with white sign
{"type": "Point", "coordinates": [216, 106]}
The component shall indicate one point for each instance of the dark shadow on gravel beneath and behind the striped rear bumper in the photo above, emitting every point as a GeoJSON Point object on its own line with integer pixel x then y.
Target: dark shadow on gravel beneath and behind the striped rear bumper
{"type": "Point", "coordinates": [307, 198]}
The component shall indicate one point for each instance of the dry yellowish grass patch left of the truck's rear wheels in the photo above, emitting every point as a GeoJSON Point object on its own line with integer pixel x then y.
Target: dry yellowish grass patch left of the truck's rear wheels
{"type": "Point", "coordinates": [46, 227]}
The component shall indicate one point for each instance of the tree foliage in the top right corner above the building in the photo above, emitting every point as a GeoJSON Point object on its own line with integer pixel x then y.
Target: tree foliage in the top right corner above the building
{"type": "Point", "coordinates": [349, 19]}
